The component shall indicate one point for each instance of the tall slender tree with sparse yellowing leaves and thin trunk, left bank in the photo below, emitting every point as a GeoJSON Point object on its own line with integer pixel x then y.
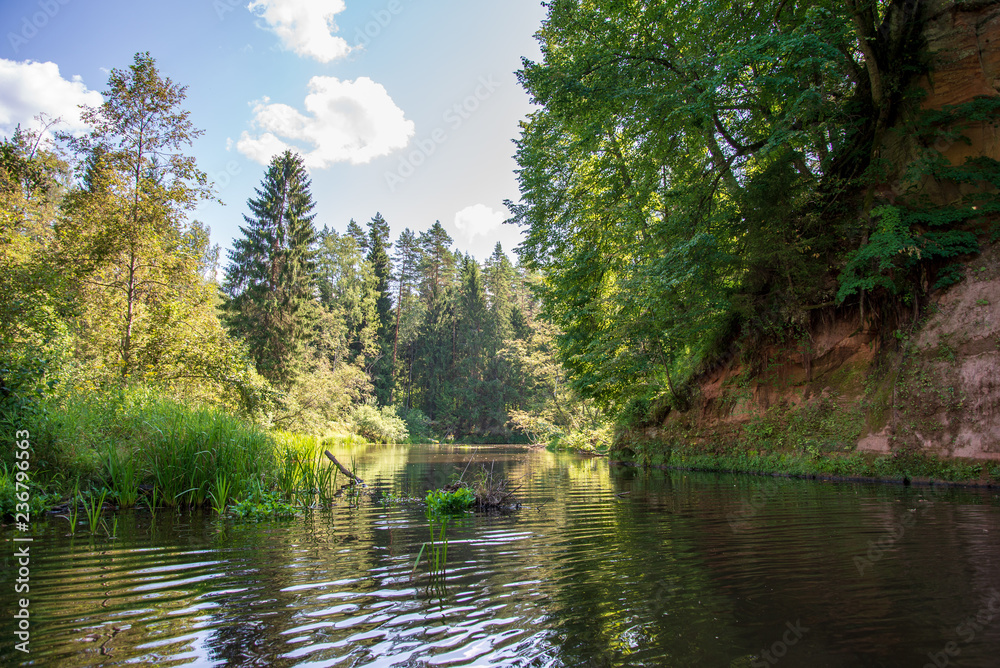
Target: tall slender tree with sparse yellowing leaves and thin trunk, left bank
{"type": "Point", "coordinates": [126, 221]}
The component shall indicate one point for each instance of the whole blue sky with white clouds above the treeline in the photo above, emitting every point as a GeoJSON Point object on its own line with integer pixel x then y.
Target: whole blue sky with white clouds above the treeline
{"type": "Point", "coordinates": [403, 107]}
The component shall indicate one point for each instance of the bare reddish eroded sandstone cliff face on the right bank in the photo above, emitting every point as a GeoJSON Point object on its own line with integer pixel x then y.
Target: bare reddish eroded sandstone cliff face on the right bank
{"type": "Point", "coordinates": [933, 385]}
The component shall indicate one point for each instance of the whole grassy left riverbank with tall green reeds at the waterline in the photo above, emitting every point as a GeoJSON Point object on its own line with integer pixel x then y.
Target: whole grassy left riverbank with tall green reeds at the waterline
{"type": "Point", "coordinates": [136, 447]}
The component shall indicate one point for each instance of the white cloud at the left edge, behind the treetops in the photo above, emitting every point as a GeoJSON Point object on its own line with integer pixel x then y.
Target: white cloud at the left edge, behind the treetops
{"type": "Point", "coordinates": [28, 88]}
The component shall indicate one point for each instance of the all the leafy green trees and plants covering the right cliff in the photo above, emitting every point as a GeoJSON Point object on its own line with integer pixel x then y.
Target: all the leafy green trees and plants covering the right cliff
{"type": "Point", "coordinates": [703, 182]}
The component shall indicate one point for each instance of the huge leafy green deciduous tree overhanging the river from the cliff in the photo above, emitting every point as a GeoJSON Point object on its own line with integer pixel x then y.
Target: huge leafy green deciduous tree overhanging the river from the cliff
{"type": "Point", "coordinates": [684, 178]}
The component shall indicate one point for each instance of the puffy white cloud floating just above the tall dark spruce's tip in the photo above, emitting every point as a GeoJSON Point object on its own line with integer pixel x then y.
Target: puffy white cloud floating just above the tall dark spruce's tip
{"type": "Point", "coordinates": [346, 121]}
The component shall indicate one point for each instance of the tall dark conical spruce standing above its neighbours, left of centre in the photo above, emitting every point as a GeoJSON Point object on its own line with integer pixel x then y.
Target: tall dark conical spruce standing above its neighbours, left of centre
{"type": "Point", "coordinates": [271, 276]}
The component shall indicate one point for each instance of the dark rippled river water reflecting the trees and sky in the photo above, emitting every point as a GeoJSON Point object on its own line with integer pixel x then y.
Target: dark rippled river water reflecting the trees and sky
{"type": "Point", "coordinates": [601, 566]}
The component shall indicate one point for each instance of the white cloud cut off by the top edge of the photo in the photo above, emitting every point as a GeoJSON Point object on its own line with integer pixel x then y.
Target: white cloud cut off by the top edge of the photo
{"type": "Point", "coordinates": [305, 26]}
